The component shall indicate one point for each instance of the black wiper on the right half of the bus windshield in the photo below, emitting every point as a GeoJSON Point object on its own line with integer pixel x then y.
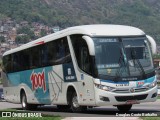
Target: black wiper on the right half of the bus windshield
{"type": "Point", "coordinates": [133, 56]}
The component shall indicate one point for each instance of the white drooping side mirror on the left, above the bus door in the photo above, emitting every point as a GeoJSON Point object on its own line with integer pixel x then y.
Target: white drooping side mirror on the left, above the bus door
{"type": "Point", "coordinates": [90, 44]}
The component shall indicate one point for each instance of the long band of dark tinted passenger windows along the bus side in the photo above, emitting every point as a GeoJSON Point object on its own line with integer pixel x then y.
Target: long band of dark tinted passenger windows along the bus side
{"type": "Point", "coordinates": [52, 53]}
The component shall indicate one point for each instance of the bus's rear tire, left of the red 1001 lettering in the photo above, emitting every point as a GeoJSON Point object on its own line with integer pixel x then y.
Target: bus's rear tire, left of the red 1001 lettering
{"type": "Point", "coordinates": [25, 105]}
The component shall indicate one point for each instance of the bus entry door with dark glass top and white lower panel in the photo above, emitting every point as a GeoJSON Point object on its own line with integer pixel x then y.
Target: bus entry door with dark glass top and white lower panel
{"type": "Point", "coordinates": [83, 72]}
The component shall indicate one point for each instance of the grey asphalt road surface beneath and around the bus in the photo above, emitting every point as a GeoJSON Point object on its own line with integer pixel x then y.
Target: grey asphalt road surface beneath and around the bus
{"type": "Point", "coordinates": [148, 109]}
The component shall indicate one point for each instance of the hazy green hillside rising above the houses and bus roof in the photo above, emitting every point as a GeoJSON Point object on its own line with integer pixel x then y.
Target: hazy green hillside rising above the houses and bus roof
{"type": "Point", "coordinates": [144, 14]}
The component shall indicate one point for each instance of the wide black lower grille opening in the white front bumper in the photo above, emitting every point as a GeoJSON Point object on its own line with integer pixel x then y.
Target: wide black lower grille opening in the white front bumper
{"type": "Point", "coordinates": [136, 97]}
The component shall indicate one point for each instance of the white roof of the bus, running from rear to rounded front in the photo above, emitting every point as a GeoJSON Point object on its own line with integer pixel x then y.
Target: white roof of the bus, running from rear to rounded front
{"type": "Point", "coordinates": [90, 30]}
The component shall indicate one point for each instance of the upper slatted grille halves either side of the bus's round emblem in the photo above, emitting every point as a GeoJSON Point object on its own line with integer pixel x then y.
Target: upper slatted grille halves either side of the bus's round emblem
{"type": "Point", "coordinates": [128, 90]}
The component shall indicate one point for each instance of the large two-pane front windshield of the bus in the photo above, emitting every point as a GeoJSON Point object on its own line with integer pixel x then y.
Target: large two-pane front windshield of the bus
{"type": "Point", "coordinates": [122, 57]}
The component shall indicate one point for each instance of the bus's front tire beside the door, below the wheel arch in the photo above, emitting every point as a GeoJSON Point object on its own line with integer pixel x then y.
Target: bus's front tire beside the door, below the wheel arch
{"type": "Point", "coordinates": [75, 107]}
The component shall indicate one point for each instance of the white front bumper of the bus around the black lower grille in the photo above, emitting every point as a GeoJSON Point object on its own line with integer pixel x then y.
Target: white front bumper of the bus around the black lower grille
{"type": "Point", "coordinates": [110, 98]}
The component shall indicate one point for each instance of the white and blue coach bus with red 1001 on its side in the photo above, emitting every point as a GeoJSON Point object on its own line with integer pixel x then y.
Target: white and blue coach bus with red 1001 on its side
{"type": "Point", "coordinates": [82, 67]}
